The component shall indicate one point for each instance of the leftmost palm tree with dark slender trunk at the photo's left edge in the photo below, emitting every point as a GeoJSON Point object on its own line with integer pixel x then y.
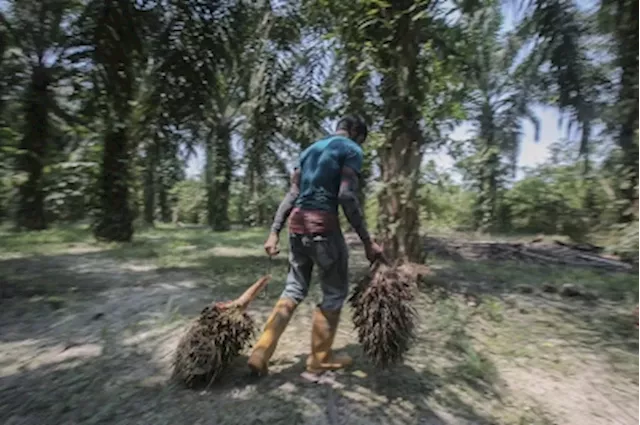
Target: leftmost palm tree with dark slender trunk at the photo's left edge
{"type": "Point", "coordinates": [40, 46]}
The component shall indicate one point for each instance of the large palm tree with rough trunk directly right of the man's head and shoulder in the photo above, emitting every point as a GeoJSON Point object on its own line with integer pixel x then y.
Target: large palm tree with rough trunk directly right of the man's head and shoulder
{"type": "Point", "coordinates": [410, 41]}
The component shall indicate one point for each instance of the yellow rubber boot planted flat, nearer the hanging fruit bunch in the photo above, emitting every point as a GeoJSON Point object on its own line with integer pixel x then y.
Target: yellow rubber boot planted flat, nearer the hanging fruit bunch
{"type": "Point", "coordinates": [323, 332]}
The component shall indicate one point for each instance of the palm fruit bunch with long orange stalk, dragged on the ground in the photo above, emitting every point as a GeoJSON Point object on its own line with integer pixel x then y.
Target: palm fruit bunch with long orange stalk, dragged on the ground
{"type": "Point", "coordinates": [215, 339]}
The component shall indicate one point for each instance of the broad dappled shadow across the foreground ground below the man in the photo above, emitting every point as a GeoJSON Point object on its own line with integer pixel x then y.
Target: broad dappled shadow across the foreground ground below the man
{"type": "Point", "coordinates": [125, 385]}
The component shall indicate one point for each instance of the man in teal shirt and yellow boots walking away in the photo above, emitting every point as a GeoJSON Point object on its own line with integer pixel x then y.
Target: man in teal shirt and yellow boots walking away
{"type": "Point", "coordinates": [325, 177]}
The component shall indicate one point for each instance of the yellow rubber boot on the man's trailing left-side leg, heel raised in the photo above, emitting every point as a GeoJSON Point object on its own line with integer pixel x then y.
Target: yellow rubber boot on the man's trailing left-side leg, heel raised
{"type": "Point", "coordinates": [266, 345]}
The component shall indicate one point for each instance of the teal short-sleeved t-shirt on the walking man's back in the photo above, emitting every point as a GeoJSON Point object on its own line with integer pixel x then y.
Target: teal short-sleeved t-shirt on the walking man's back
{"type": "Point", "coordinates": [320, 168]}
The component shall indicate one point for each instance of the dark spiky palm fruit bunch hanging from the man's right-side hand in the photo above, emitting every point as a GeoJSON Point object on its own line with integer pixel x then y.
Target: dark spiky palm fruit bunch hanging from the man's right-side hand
{"type": "Point", "coordinates": [382, 313]}
